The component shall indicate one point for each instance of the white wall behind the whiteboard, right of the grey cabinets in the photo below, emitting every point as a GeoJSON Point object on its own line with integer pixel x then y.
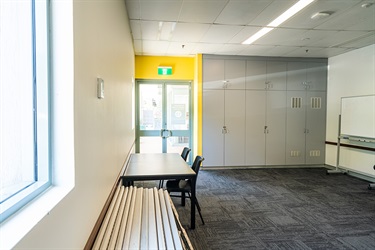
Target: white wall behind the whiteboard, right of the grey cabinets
{"type": "Point", "coordinates": [349, 74]}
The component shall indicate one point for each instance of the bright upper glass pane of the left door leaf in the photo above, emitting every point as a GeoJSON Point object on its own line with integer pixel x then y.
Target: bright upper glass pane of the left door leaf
{"type": "Point", "coordinates": [150, 103]}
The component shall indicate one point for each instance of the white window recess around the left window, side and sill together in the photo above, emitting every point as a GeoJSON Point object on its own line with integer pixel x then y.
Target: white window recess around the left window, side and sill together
{"type": "Point", "coordinates": [61, 128]}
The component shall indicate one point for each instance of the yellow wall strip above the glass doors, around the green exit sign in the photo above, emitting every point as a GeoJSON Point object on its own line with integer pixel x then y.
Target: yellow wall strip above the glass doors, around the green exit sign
{"type": "Point", "coordinates": [146, 67]}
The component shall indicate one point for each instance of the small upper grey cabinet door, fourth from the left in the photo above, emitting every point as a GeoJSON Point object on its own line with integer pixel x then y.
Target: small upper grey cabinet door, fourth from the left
{"type": "Point", "coordinates": [276, 75]}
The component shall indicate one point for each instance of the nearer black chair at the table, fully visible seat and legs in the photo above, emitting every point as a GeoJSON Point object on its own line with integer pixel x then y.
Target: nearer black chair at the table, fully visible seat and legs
{"type": "Point", "coordinates": [184, 186]}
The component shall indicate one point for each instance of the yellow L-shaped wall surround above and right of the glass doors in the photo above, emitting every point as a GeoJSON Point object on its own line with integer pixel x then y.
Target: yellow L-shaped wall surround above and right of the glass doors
{"type": "Point", "coordinates": [183, 68]}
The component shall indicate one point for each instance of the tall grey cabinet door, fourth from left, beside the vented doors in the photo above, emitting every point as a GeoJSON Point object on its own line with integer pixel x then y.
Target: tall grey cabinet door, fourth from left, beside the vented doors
{"type": "Point", "coordinates": [276, 125]}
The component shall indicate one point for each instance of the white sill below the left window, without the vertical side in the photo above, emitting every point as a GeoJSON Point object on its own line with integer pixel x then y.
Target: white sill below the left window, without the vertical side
{"type": "Point", "coordinates": [30, 215]}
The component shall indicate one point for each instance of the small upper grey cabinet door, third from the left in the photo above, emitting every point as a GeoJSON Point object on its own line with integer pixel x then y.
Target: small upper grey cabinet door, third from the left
{"type": "Point", "coordinates": [256, 72]}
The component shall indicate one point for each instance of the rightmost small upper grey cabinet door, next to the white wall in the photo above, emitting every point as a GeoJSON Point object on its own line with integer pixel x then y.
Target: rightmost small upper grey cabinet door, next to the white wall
{"type": "Point", "coordinates": [316, 76]}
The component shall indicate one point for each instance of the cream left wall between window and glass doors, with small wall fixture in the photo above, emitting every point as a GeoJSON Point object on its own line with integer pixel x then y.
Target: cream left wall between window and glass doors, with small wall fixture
{"type": "Point", "coordinates": [103, 128]}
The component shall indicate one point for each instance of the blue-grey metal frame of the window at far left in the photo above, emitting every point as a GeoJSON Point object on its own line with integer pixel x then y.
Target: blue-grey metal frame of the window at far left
{"type": "Point", "coordinates": [41, 113]}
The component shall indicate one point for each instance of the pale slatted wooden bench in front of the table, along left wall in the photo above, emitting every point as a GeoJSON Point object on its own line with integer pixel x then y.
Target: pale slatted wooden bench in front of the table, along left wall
{"type": "Point", "coordinates": [141, 218]}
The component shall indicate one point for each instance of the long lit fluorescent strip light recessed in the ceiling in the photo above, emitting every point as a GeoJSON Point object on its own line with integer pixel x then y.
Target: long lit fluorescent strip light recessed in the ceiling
{"type": "Point", "coordinates": [279, 20]}
